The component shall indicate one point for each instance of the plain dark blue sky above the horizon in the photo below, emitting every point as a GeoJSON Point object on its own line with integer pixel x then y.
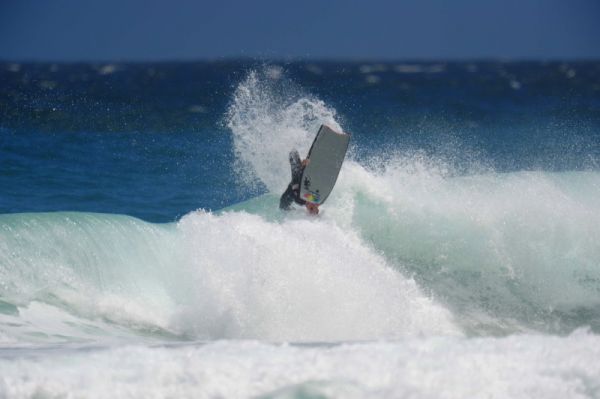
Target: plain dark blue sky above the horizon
{"type": "Point", "coordinates": [151, 30]}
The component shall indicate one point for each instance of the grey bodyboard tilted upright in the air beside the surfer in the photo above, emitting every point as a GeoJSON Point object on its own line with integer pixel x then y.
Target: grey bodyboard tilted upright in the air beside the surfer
{"type": "Point", "coordinates": [326, 156]}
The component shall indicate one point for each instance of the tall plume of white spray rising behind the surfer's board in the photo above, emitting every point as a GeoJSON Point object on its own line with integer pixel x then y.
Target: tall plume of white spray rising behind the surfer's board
{"type": "Point", "coordinates": [269, 116]}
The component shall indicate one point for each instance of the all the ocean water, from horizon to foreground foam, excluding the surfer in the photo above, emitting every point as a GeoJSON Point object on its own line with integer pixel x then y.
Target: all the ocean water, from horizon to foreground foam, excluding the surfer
{"type": "Point", "coordinates": [143, 254]}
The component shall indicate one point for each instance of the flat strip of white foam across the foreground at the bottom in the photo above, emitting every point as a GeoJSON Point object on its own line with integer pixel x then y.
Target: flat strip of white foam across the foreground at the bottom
{"type": "Point", "coordinates": [514, 367]}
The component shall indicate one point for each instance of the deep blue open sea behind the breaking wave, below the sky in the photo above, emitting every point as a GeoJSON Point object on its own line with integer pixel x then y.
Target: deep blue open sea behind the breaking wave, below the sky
{"type": "Point", "coordinates": [69, 132]}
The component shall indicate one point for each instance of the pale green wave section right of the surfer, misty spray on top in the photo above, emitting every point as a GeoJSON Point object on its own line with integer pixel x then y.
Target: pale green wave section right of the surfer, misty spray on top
{"type": "Point", "coordinates": [504, 251]}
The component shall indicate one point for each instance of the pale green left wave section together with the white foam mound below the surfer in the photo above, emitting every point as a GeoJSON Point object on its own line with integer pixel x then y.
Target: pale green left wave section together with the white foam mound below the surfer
{"type": "Point", "coordinates": [233, 275]}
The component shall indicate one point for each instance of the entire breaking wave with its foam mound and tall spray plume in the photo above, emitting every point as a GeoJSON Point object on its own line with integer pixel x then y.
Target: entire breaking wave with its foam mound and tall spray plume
{"type": "Point", "coordinates": [404, 247]}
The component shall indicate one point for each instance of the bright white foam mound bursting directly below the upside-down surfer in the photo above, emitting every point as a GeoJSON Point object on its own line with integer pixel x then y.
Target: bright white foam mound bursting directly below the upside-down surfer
{"type": "Point", "coordinates": [300, 280]}
